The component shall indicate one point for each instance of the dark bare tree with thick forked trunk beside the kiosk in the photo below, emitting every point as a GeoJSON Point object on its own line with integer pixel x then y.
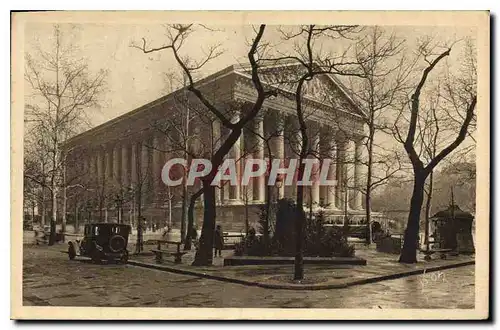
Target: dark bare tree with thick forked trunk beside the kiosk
{"type": "Point", "coordinates": [422, 171]}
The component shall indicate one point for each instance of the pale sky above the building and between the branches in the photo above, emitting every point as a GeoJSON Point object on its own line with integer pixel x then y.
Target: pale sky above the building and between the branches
{"type": "Point", "coordinates": [135, 78]}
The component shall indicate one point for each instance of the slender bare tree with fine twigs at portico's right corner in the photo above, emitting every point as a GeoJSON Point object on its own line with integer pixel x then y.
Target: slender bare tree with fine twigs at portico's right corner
{"type": "Point", "coordinates": [385, 71]}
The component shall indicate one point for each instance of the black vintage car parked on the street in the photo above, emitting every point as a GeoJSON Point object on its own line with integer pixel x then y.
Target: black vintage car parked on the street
{"type": "Point", "coordinates": [102, 241]}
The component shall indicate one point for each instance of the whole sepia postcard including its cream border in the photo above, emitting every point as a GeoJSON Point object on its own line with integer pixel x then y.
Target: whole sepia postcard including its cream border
{"type": "Point", "coordinates": [241, 165]}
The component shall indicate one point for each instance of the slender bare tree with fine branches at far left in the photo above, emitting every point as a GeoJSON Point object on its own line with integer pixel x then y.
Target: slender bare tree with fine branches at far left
{"type": "Point", "coordinates": [63, 88]}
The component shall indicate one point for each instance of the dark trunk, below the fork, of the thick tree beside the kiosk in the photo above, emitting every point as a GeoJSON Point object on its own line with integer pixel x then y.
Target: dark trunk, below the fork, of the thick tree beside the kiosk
{"type": "Point", "coordinates": [410, 246]}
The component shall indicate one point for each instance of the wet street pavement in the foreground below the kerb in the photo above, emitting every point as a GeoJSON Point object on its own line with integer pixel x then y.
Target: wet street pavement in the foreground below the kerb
{"type": "Point", "coordinates": [50, 279]}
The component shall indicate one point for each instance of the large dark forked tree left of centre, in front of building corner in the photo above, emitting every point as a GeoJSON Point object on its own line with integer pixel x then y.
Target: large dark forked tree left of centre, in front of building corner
{"type": "Point", "coordinates": [177, 35]}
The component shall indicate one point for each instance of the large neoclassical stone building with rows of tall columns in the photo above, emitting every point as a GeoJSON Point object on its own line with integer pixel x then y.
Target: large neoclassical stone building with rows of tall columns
{"type": "Point", "coordinates": [127, 154]}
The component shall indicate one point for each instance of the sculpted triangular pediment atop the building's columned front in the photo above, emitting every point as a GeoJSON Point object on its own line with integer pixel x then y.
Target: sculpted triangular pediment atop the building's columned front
{"type": "Point", "coordinates": [325, 89]}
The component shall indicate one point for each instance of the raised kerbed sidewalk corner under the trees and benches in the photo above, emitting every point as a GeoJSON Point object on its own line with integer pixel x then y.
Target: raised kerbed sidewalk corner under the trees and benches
{"type": "Point", "coordinates": [380, 267]}
